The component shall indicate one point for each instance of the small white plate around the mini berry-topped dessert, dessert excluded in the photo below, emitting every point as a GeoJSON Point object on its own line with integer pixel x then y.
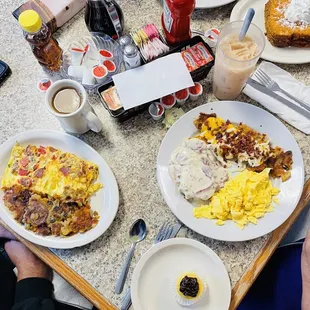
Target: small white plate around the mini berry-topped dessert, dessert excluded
{"type": "Point", "coordinates": [152, 285]}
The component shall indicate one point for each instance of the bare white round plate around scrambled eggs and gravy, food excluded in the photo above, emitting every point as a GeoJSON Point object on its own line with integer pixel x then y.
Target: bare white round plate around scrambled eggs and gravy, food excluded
{"type": "Point", "coordinates": [264, 123]}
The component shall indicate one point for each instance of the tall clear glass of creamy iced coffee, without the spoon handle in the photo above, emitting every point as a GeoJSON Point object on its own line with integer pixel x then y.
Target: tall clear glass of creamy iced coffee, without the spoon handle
{"type": "Point", "coordinates": [235, 60]}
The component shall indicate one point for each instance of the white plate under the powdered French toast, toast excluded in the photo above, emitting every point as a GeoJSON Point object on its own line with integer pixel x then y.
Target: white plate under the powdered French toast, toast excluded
{"type": "Point", "coordinates": [286, 55]}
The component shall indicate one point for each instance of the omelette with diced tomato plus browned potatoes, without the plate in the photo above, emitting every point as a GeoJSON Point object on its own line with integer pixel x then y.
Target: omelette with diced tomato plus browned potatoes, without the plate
{"type": "Point", "coordinates": [48, 191]}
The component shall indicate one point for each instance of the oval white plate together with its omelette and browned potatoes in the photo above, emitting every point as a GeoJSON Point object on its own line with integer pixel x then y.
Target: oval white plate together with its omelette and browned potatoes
{"type": "Point", "coordinates": [56, 164]}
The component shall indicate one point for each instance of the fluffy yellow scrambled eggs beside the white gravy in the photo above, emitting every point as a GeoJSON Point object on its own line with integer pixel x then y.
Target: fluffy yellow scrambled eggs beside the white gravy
{"type": "Point", "coordinates": [243, 199]}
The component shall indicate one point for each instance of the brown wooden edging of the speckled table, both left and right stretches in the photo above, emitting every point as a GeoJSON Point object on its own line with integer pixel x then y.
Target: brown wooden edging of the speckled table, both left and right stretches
{"type": "Point", "coordinates": [238, 292]}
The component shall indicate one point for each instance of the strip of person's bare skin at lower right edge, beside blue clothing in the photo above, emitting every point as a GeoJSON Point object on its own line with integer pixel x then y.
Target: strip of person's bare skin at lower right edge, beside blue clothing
{"type": "Point", "coordinates": [305, 273]}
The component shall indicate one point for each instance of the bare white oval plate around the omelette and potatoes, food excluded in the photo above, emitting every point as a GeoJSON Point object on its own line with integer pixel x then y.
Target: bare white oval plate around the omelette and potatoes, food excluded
{"type": "Point", "coordinates": [105, 201]}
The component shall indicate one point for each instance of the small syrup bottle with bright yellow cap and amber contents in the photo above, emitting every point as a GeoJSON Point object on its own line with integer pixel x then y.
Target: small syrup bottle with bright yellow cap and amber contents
{"type": "Point", "coordinates": [44, 47]}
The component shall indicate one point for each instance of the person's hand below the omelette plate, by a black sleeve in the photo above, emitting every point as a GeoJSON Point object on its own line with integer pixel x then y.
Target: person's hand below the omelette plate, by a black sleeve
{"type": "Point", "coordinates": [27, 264]}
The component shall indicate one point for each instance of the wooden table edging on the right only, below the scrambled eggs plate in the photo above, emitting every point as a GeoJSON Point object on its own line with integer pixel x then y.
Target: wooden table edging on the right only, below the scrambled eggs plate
{"type": "Point", "coordinates": [256, 266]}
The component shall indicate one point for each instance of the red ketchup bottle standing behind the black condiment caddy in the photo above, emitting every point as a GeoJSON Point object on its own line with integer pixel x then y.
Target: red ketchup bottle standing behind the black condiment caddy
{"type": "Point", "coordinates": [176, 20]}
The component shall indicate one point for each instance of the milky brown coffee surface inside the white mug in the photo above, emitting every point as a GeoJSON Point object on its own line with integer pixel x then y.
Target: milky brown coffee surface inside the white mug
{"type": "Point", "coordinates": [66, 100]}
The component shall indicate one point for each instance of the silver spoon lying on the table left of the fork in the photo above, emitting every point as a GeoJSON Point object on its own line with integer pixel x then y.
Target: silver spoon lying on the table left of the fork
{"type": "Point", "coordinates": [137, 233]}
